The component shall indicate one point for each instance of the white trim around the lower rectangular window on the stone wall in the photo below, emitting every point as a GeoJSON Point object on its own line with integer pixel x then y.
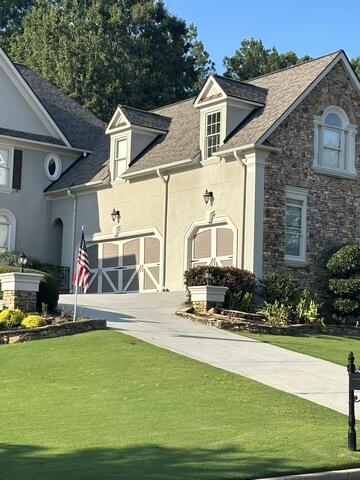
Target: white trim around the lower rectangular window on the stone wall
{"type": "Point", "coordinates": [298, 194]}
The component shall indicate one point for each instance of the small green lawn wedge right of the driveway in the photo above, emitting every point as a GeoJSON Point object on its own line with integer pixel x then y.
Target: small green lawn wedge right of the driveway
{"type": "Point", "coordinates": [328, 347]}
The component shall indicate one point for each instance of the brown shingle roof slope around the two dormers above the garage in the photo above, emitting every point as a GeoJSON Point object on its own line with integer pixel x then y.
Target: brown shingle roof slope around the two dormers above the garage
{"type": "Point", "coordinates": [182, 140]}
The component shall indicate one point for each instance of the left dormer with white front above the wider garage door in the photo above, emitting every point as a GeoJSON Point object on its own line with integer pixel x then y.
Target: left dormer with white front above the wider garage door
{"type": "Point", "coordinates": [131, 131]}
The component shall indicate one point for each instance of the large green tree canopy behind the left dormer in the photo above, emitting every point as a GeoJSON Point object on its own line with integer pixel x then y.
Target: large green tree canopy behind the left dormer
{"type": "Point", "coordinates": [106, 52]}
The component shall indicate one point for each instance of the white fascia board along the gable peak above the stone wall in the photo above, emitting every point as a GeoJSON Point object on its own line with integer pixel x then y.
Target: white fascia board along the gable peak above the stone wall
{"type": "Point", "coordinates": [340, 57]}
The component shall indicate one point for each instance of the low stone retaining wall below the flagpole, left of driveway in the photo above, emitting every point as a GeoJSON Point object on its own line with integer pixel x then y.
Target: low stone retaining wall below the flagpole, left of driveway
{"type": "Point", "coordinates": [50, 331]}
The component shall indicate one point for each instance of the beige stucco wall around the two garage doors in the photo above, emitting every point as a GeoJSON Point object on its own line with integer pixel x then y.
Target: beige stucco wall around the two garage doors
{"type": "Point", "coordinates": [141, 205]}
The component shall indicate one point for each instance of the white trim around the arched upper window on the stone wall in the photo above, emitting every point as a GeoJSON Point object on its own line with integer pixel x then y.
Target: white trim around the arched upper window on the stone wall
{"type": "Point", "coordinates": [349, 131]}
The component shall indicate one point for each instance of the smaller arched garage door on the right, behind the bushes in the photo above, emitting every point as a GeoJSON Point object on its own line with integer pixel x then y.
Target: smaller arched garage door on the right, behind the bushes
{"type": "Point", "coordinates": [213, 246]}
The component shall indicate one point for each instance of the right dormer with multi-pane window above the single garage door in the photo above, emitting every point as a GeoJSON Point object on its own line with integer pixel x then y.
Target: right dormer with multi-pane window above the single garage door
{"type": "Point", "coordinates": [223, 104]}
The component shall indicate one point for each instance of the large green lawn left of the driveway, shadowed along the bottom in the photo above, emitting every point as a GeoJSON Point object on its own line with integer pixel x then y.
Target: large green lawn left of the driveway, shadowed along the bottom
{"type": "Point", "coordinates": [104, 406]}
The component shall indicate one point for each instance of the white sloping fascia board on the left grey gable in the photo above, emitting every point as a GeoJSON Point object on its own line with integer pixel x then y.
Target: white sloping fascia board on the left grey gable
{"type": "Point", "coordinates": [31, 98]}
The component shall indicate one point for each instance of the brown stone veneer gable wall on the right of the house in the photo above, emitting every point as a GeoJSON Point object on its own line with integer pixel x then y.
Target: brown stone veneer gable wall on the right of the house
{"type": "Point", "coordinates": [333, 214]}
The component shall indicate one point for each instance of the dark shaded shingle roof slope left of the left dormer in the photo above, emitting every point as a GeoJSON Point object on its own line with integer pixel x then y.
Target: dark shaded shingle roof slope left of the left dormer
{"type": "Point", "coordinates": [81, 127]}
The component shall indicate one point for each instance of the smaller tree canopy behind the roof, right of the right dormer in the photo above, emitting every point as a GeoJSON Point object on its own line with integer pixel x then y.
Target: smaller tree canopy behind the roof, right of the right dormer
{"type": "Point", "coordinates": [253, 59]}
